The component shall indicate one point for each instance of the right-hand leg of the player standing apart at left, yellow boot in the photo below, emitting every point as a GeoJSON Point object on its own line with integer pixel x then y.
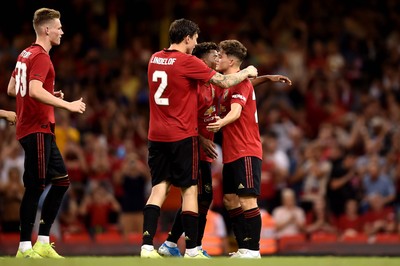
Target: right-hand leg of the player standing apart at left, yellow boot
{"type": "Point", "coordinates": [58, 177]}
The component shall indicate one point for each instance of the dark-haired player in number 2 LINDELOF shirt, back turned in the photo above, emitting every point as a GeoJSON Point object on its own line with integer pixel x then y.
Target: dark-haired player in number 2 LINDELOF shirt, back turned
{"type": "Point", "coordinates": [173, 74]}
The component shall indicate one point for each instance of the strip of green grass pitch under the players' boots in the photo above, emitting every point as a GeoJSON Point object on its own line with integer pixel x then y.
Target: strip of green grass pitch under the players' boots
{"type": "Point", "coordinates": [266, 261]}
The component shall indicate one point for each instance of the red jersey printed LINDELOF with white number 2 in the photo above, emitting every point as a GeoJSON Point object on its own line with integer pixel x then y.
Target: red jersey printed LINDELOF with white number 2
{"type": "Point", "coordinates": [173, 78]}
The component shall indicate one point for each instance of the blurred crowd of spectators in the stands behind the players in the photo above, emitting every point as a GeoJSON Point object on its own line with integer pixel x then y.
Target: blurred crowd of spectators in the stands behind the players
{"type": "Point", "coordinates": [331, 141]}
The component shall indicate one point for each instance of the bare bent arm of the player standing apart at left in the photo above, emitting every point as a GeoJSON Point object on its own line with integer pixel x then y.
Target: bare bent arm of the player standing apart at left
{"type": "Point", "coordinates": [37, 92]}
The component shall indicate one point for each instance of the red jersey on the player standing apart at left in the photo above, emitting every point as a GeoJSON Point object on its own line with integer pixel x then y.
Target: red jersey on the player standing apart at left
{"type": "Point", "coordinates": [33, 63]}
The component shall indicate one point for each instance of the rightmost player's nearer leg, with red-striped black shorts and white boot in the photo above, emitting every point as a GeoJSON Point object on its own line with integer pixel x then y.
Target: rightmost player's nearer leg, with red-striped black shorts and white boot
{"type": "Point", "coordinates": [248, 200]}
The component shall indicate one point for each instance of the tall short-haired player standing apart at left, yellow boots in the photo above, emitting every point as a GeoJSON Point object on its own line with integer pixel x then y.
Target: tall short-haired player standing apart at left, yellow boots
{"type": "Point", "coordinates": [32, 83]}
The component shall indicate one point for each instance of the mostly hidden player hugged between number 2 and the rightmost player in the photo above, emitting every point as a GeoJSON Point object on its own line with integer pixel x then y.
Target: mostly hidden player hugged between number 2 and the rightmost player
{"type": "Point", "coordinates": [207, 110]}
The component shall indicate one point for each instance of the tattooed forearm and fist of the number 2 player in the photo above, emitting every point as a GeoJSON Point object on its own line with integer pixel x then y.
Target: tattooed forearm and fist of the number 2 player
{"type": "Point", "coordinates": [227, 81]}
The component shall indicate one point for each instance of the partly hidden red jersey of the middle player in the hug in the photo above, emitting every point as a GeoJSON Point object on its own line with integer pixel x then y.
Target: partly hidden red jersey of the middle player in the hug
{"type": "Point", "coordinates": [207, 110]}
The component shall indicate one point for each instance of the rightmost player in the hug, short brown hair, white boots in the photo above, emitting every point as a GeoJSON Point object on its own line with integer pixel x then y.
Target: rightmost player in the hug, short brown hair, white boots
{"type": "Point", "coordinates": [242, 153]}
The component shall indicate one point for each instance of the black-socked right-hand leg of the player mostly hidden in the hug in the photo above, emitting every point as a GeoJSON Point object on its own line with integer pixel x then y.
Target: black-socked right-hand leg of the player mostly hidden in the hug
{"type": "Point", "coordinates": [205, 196]}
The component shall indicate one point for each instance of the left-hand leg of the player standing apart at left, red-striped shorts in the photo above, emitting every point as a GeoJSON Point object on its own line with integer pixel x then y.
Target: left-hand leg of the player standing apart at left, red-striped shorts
{"type": "Point", "coordinates": [34, 182]}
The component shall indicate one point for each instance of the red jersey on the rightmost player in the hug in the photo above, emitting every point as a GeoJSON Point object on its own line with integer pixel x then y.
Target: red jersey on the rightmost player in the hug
{"type": "Point", "coordinates": [242, 137]}
